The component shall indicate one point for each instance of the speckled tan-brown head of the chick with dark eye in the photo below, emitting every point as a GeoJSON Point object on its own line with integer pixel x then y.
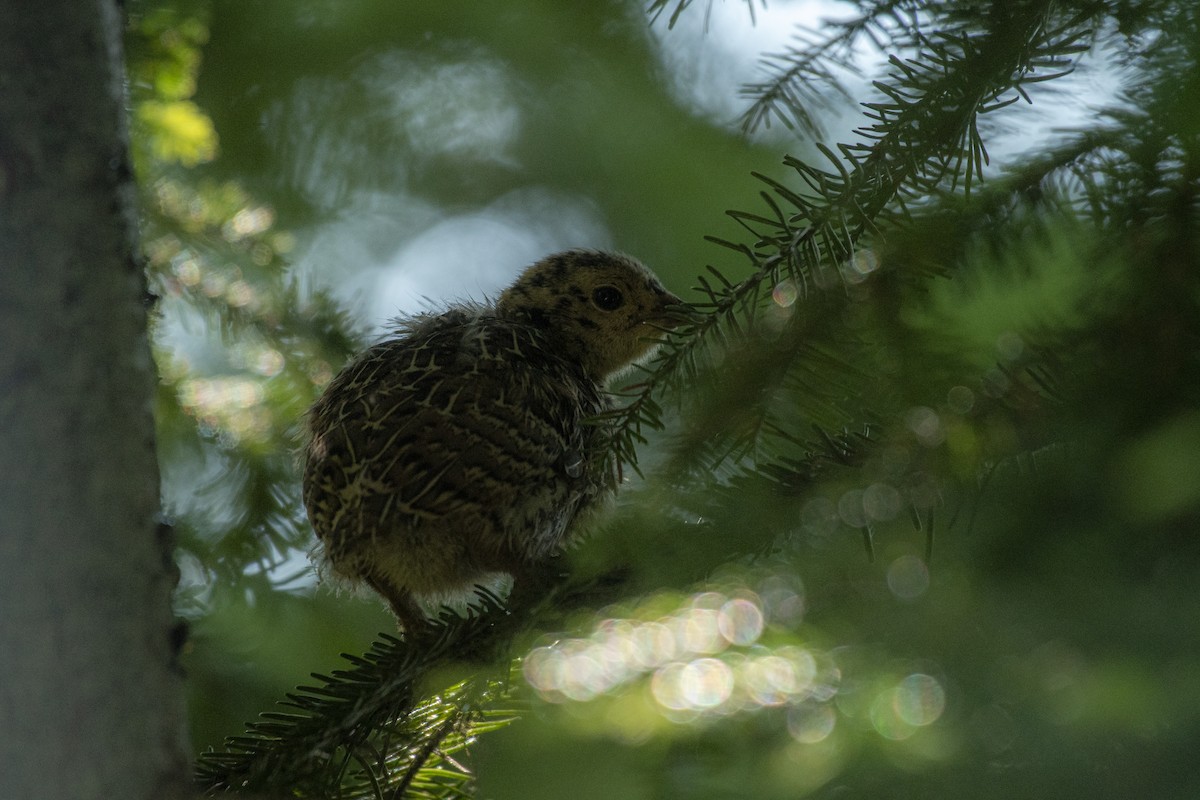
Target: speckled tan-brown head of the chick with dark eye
{"type": "Point", "coordinates": [604, 310]}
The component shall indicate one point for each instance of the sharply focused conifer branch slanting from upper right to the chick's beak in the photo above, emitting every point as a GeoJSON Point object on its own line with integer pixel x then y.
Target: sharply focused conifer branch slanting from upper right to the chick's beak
{"type": "Point", "coordinates": [923, 140]}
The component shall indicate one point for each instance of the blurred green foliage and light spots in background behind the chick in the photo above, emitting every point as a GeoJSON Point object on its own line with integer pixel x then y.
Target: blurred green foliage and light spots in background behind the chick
{"type": "Point", "coordinates": [923, 522]}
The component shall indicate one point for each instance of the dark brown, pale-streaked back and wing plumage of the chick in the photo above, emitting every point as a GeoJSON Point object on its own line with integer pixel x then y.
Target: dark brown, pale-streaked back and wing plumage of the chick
{"type": "Point", "coordinates": [482, 424]}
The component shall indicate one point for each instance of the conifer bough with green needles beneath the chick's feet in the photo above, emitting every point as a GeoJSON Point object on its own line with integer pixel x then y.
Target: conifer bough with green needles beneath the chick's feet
{"type": "Point", "coordinates": [368, 731]}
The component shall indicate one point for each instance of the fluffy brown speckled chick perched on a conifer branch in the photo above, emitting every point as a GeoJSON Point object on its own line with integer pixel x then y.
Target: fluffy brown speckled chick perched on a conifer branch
{"type": "Point", "coordinates": [465, 448]}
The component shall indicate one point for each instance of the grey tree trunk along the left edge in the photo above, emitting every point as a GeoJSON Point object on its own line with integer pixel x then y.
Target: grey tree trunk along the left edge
{"type": "Point", "coordinates": [91, 700]}
